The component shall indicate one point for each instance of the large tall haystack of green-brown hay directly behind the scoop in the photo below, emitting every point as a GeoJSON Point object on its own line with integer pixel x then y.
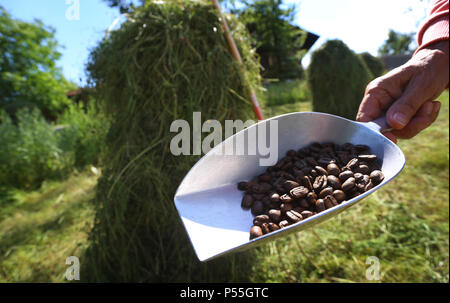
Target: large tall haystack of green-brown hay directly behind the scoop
{"type": "Point", "coordinates": [167, 61]}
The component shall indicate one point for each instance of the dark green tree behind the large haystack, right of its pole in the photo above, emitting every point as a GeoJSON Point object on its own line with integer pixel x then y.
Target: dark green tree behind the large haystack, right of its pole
{"type": "Point", "coordinates": [277, 40]}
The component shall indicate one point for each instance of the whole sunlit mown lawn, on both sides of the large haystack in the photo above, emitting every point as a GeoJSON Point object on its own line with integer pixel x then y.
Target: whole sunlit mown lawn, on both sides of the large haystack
{"type": "Point", "coordinates": [405, 225]}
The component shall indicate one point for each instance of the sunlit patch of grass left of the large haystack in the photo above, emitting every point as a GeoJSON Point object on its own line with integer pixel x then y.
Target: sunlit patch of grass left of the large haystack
{"type": "Point", "coordinates": [40, 229]}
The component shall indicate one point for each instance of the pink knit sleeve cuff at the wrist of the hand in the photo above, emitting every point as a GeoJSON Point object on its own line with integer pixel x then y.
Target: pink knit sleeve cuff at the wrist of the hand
{"type": "Point", "coordinates": [436, 26]}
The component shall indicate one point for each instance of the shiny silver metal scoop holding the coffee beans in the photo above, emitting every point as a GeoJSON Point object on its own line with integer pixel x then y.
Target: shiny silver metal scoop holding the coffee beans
{"type": "Point", "coordinates": [209, 202]}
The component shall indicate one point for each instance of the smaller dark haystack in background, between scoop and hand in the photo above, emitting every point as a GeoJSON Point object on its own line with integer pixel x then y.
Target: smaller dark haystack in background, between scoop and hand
{"type": "Point", "coordinates": [337, 78]}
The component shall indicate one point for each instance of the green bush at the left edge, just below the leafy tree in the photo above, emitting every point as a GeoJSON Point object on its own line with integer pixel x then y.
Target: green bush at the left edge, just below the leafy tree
{"type": "Point", "coordinates": [30, 150]}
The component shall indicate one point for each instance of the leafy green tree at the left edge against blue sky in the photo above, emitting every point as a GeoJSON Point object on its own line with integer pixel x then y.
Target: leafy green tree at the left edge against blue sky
{"type": "Point", "coordinates": [28, 73]}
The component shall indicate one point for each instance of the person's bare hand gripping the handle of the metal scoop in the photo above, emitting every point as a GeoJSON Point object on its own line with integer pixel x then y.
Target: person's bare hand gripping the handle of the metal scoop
{"type": "Point", "coordinates": [407, 93]}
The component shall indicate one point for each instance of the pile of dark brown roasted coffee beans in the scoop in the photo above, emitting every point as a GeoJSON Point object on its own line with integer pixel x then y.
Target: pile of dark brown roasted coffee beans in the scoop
{"type": "Point", "coordinates": [308, 181]}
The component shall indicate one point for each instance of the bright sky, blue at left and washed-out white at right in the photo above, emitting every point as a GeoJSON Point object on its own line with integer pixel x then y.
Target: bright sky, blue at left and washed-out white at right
{"type": "Point", "coordinates": [362, 24]}
